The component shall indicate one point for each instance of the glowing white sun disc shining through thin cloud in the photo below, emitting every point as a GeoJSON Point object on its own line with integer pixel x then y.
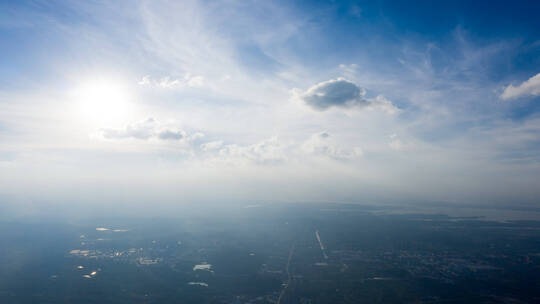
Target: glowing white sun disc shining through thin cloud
{"type": "Point", "coordinates": [102, 102]}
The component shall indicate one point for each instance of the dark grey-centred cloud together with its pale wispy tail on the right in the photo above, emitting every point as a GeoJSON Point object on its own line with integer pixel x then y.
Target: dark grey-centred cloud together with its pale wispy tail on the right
{"type": "Point", "coordinates": [342, 93]}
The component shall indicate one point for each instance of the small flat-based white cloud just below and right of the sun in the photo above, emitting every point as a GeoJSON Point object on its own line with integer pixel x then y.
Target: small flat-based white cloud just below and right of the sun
{"type": "Point", "coordinates": [143, 130]}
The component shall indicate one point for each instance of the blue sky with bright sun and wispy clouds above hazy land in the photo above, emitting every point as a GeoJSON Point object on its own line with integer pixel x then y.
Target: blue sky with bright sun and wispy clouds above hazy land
{"type": "Point", "coordinates": [118, 103]}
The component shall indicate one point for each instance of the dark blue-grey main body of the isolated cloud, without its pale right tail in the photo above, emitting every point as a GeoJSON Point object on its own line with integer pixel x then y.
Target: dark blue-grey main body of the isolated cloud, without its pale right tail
{"type": "Point", "coordinates": [335, 93]}
